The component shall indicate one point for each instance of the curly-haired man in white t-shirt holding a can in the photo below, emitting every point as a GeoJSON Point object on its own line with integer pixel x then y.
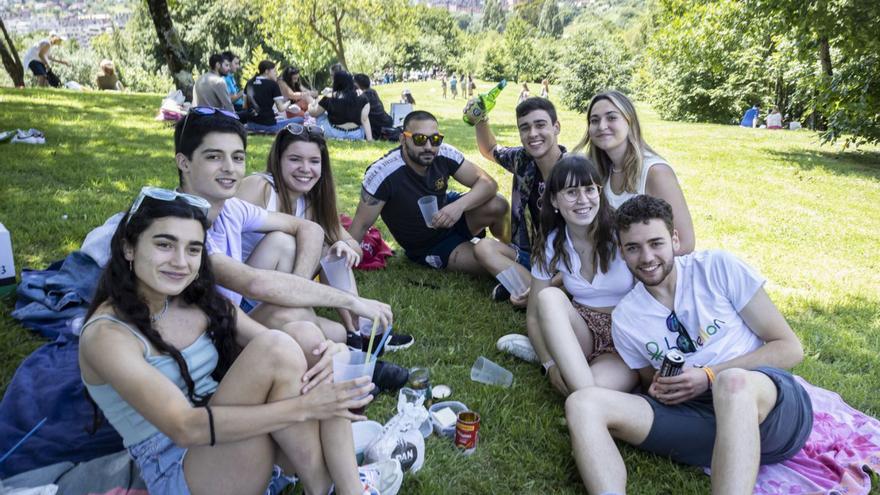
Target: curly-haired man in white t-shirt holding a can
{"type": "Point", "coordinates": [732, 407]}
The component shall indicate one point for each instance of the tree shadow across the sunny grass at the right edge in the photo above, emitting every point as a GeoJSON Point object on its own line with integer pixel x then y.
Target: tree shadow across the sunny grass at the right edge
{"type": "Point", "coordinates": [859, 163]}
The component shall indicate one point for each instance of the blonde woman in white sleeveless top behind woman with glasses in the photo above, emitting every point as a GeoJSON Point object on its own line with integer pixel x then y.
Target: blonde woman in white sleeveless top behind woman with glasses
{"type": "Point", "coordinates": [629, 166]}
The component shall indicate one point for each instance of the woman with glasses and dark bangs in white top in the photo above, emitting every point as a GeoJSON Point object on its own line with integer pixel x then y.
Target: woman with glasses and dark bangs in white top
{"type": "Point", "coordinates": [576, 239]}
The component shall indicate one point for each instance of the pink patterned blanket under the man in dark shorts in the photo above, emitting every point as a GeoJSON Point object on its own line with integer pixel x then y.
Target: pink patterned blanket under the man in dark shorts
{"type": "Point", "coordinates": [844, 444]}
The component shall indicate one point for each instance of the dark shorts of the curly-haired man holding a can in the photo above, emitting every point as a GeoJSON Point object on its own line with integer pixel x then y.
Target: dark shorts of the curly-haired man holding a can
{"type": "Point", "coordinates": [686, 432]}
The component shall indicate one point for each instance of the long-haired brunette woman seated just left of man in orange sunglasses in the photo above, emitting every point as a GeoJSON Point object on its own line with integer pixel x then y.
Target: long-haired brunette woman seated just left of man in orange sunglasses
{"type": "Point", "coordinates": [299, 181]}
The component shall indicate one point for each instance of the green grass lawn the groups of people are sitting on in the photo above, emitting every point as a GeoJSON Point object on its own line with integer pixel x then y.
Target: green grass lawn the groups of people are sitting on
{"type": "Point", "coordinates": [804, 215]}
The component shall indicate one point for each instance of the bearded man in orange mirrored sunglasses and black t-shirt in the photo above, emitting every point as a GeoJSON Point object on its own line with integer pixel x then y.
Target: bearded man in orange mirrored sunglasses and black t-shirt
{"type": "Point", "coordinates": [421, 167]}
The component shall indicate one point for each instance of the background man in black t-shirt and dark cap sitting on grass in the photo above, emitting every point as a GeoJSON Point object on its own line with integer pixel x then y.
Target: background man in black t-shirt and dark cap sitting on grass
{"type": "Point", "coordinates": [264, 96]}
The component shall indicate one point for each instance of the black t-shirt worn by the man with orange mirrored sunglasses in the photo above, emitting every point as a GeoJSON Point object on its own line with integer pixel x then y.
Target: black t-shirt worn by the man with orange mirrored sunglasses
{"type": "Point", "coordinates": [391, 180]}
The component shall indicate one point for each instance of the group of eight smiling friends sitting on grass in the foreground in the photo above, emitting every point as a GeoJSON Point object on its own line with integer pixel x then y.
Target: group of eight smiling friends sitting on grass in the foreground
{"type": "Point", "coordinates": [203, 350]}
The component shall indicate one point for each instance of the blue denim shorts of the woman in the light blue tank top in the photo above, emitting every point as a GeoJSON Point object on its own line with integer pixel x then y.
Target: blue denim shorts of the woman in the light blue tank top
{"type": "Point", "coordinates": [161, 464]}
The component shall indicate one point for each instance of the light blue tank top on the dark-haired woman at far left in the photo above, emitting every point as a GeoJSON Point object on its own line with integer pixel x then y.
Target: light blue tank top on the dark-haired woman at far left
{"type": "Point", "coordinates": [201, 357]}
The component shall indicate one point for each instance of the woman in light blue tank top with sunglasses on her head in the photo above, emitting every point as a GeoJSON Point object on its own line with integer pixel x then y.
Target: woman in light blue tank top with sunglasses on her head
{"type": "Point", "coordinates": [207, 400]}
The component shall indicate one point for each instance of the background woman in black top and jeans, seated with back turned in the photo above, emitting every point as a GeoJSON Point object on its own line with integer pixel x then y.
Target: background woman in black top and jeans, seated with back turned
{"type": "Point", "coordinates": [344, 114]}
